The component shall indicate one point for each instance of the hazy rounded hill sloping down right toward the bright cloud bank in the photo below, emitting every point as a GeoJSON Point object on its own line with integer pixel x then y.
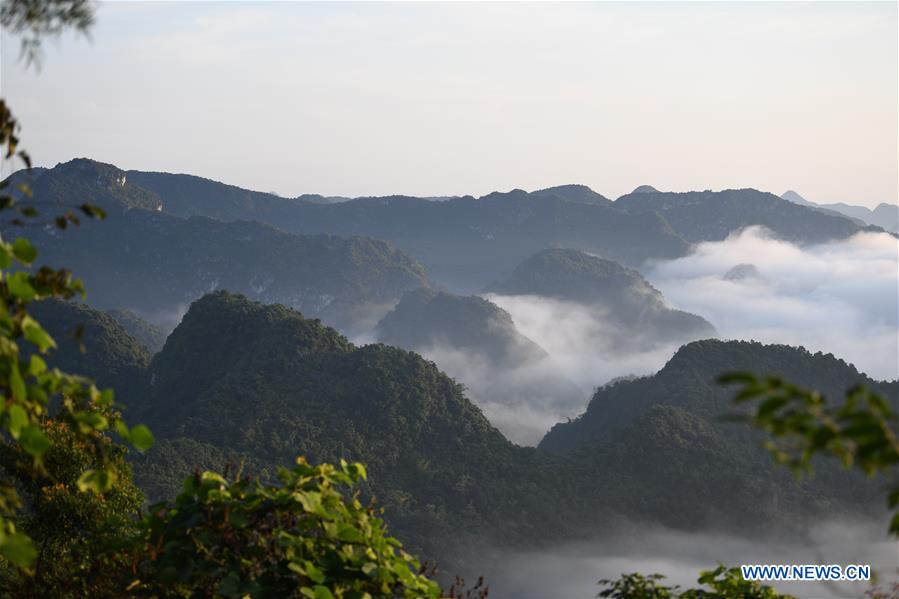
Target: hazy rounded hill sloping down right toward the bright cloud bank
{"type": "Point", "coordinates": [621, 294]}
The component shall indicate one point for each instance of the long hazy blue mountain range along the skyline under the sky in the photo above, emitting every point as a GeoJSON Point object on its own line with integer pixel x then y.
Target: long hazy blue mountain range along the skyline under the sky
{"type": "Point", "coordinates": [465, 243]}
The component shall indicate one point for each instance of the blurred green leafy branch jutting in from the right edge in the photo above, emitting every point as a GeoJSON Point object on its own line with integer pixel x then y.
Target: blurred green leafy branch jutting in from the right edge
{"type": "Point", "coordinates": [861, 431]}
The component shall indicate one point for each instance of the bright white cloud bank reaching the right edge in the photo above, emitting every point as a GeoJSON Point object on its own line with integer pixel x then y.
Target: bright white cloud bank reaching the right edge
{"type": "Point", "coordinates": [839, 297]}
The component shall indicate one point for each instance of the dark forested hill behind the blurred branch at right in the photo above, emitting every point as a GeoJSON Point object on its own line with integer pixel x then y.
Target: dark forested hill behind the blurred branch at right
{"type": "Point", "coordinates": [664, 440]}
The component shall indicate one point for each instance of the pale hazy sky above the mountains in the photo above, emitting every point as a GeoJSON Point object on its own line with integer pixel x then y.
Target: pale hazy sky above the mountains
{"type": "Point", "coordinates": [445, 99]}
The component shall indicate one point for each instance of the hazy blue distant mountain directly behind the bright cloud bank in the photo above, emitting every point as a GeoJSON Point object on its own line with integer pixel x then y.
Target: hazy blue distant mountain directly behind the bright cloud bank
{"type": "Point", "coordinates": [711, 216]}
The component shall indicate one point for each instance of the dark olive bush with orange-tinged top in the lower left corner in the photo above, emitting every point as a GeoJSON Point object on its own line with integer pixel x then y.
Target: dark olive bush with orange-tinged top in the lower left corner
{"type": "Point", "coordinates": [78, 535]}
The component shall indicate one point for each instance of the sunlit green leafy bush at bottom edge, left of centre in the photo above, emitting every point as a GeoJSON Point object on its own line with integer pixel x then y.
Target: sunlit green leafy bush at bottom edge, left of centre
{"type": "Point", "coordinates": [298, 538]}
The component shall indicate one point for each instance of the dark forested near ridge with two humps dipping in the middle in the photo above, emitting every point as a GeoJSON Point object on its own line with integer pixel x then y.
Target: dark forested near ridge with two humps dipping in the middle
{"type": "Point", "coordinates": [239, 382]}
